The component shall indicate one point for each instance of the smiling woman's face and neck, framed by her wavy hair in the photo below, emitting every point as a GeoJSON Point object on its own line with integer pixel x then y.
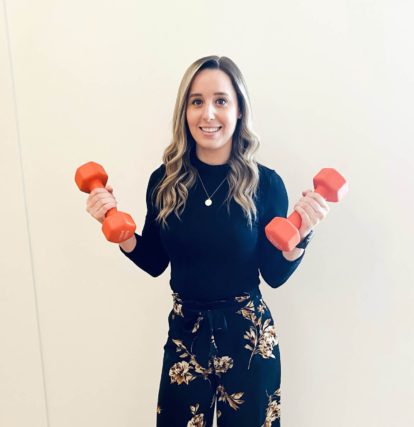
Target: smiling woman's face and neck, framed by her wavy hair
{"type": "Point", "coordinates": [212, 113]}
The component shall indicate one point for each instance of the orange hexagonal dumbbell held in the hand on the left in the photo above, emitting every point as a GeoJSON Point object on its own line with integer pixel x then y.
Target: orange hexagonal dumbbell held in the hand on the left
{"type": "Point", "coordinates": [117, 226]}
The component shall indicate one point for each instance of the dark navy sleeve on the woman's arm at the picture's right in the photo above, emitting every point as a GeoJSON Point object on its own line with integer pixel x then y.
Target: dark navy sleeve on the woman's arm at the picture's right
{"type": "Point", "coordinates": [274, 267]}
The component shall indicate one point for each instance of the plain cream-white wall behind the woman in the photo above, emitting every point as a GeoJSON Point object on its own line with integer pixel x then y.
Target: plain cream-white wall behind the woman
{"type": "Point", "coordinates": [331, 82]}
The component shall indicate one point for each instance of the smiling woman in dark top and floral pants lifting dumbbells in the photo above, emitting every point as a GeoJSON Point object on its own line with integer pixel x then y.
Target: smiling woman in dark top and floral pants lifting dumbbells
{"type": "Point", "coordinates": [207, 206]}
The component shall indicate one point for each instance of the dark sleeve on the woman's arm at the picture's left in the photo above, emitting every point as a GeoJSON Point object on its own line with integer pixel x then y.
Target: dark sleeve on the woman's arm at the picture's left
{"type": "Point", "coordinates": [149, 253]}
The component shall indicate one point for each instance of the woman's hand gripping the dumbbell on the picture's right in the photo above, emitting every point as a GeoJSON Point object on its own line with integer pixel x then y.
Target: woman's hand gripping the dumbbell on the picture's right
{"type": "Point", "coordinates": [312, 208]}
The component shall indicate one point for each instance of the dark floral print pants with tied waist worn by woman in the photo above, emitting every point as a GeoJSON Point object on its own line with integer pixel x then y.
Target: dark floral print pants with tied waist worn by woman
{"type": "Point", "coordinates": [221, 352]}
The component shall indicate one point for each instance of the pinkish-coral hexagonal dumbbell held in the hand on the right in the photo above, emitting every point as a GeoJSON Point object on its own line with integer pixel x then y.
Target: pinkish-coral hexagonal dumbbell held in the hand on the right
{"type": "Point", "coordinates": [284, 232]}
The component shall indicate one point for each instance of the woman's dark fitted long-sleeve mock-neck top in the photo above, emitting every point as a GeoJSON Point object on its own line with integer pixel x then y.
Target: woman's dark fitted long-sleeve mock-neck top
{"type": "Point", "coordinates": [214, 255]}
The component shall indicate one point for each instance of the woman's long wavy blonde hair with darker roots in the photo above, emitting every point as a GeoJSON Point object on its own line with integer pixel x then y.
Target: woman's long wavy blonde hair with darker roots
{"type": "Point", "coordinates": [180, 175]}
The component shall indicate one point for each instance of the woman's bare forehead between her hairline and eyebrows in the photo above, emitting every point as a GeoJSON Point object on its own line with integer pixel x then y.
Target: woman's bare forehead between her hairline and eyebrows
{"type": "Point", "coordinates": [209, 81]}
